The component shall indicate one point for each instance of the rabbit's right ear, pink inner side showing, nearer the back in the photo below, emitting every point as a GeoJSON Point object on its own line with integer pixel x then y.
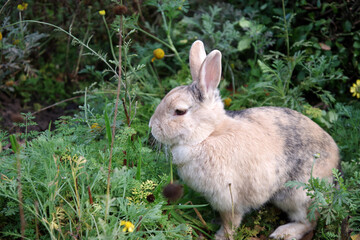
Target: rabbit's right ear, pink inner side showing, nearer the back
{"type": "Point", "coordinates": [210, 72]}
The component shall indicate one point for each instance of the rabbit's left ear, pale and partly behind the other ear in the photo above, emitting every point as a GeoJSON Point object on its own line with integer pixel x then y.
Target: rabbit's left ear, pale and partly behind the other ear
{"type": "Point", "coordinates": [196, 58]}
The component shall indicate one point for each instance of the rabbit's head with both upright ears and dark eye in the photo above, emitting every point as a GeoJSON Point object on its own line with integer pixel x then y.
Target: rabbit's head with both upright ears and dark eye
{"type": "Point", "coordinates": [189, 114]}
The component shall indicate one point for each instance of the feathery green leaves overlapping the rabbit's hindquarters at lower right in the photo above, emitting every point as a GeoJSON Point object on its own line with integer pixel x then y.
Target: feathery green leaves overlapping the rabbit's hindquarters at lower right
{"type": "Point", "coordinates": [333, 203]}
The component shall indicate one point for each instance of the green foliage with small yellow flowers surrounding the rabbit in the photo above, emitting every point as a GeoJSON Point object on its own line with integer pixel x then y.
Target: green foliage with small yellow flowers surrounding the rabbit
{"type": "Point", "coordinates": [302, 55]}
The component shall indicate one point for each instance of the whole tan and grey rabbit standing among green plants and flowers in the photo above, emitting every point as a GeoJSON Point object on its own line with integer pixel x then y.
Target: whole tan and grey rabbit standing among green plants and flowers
{"type": "Point", "coordinates": [240, 160]}
